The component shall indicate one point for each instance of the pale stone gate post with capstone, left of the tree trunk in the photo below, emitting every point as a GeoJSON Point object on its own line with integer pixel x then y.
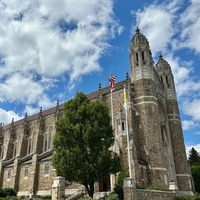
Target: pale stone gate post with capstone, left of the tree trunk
{"type": "Point", "coordinates": [58, 188]}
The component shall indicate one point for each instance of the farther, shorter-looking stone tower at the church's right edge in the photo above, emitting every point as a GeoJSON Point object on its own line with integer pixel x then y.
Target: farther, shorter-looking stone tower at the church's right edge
{"type": "Point", "coordinates": [175, 128]}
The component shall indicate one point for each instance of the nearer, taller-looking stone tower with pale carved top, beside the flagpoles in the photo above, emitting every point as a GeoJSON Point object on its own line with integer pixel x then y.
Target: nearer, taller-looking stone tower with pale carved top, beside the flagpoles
{"type": "Point", "coordinates": [143, 83]}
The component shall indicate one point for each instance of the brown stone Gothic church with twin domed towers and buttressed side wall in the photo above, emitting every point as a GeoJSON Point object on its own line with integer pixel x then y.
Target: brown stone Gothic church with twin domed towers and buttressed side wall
{"type": "Point", "coordinates": [156, 144]}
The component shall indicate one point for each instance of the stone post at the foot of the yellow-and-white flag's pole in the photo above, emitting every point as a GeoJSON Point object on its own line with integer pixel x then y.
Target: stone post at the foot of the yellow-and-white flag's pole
{"type": "Point", "coordinates": [128, 188]}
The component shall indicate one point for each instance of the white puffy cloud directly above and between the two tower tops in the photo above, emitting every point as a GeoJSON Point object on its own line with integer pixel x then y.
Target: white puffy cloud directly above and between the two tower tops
{"type": "Point", "coordinates": [156, 22]}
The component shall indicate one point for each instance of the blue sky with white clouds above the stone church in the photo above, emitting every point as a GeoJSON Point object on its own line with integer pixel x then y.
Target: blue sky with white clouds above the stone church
{"type": "Point", "coordinates": [49, 50]}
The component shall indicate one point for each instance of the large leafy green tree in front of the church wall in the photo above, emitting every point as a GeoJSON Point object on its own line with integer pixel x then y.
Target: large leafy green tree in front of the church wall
{"type": "Point", "coordinates": [82, 143]}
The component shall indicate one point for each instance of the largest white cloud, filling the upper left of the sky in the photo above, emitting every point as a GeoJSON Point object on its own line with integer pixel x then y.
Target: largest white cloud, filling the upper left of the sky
{"type": "Point", "coordinates": [51, 38]}
